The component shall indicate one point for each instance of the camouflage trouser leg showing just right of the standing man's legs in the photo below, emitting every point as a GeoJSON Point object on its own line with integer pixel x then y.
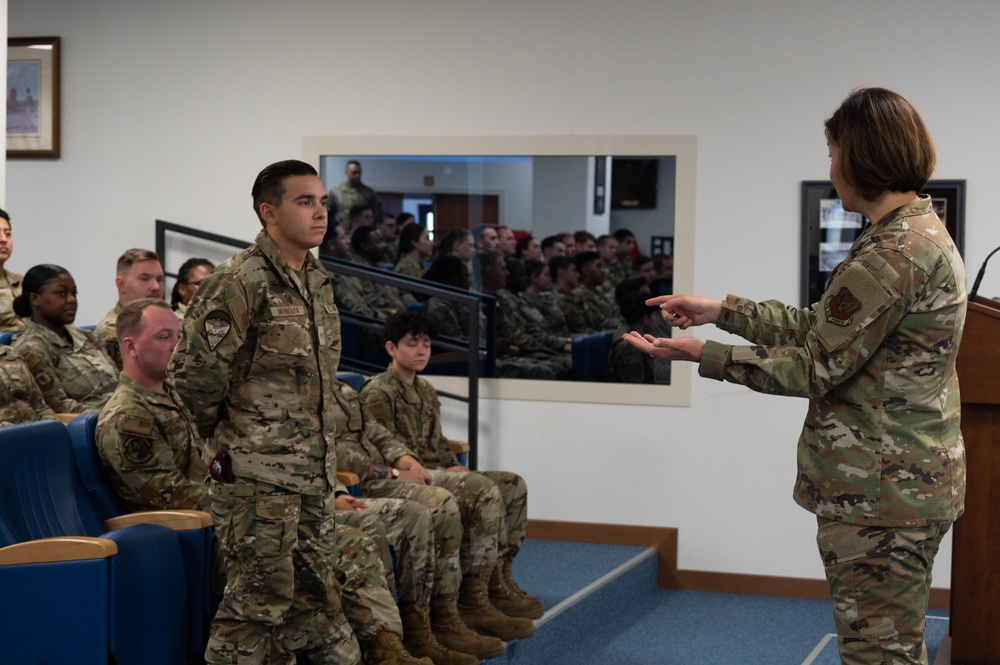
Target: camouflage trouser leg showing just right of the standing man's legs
{"type": "Point", "coordinates": [367, 601]}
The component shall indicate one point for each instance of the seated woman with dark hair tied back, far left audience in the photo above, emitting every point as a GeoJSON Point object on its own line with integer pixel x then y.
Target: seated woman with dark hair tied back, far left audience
{"type": "Point", "coordinates": [70, 365]}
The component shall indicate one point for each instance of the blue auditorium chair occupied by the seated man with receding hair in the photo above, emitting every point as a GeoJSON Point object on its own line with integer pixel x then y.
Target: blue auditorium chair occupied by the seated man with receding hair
{"type": "Point", "coordinates": [196, 542]}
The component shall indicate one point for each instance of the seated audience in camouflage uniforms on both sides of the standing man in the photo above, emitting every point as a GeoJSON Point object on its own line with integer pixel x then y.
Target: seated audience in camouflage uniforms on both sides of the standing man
{"type": "Point", "coordinates": [456, 602]}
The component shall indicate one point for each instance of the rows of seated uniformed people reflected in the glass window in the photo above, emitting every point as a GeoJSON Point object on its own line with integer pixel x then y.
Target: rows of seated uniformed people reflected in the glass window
{"type": "Point", "coordinates": [547, 291]}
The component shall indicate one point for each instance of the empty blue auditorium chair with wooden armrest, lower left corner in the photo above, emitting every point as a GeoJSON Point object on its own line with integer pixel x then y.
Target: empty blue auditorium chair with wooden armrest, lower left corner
{"type": "Point", "coordinates": [59, 603]}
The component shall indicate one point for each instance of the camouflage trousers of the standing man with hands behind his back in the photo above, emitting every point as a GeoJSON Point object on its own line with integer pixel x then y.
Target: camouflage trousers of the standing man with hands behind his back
{"type": "Point", "coordinates": [282, 596]}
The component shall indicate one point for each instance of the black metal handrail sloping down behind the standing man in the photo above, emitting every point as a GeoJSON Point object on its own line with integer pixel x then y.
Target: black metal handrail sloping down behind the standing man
{"type": "Point", "coordinates": [471, 299]}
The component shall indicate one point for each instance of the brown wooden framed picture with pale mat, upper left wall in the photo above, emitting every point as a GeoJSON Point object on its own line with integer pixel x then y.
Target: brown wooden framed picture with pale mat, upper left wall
{"type": "Point", "coordinates": [33, 97]}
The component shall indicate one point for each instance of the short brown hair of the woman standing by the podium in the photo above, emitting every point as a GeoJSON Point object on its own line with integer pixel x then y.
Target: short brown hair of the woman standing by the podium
{"type": "Point", "coordinates": [883, 143]}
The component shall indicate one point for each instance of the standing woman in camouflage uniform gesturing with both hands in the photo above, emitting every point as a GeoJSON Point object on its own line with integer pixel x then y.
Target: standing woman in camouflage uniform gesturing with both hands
{"type": "Point", "coordinates": [880, 458]}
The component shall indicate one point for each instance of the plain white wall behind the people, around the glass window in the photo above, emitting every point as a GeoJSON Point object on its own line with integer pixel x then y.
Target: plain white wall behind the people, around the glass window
{"type": "Point", "coordinates": [170, 109]}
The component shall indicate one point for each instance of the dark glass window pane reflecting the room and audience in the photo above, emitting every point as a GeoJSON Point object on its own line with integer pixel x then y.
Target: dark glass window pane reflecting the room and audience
{"type": "Point", "coordinates": [535, 197]}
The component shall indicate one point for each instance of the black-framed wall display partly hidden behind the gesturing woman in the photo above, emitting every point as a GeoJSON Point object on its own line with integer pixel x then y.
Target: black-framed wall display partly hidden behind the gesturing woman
{"type": "Point", "coordinates": [828, 231]}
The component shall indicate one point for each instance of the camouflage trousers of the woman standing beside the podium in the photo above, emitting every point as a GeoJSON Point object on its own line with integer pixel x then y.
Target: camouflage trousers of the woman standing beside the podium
{"type": "Point", "coordinates": [880, 580]}
